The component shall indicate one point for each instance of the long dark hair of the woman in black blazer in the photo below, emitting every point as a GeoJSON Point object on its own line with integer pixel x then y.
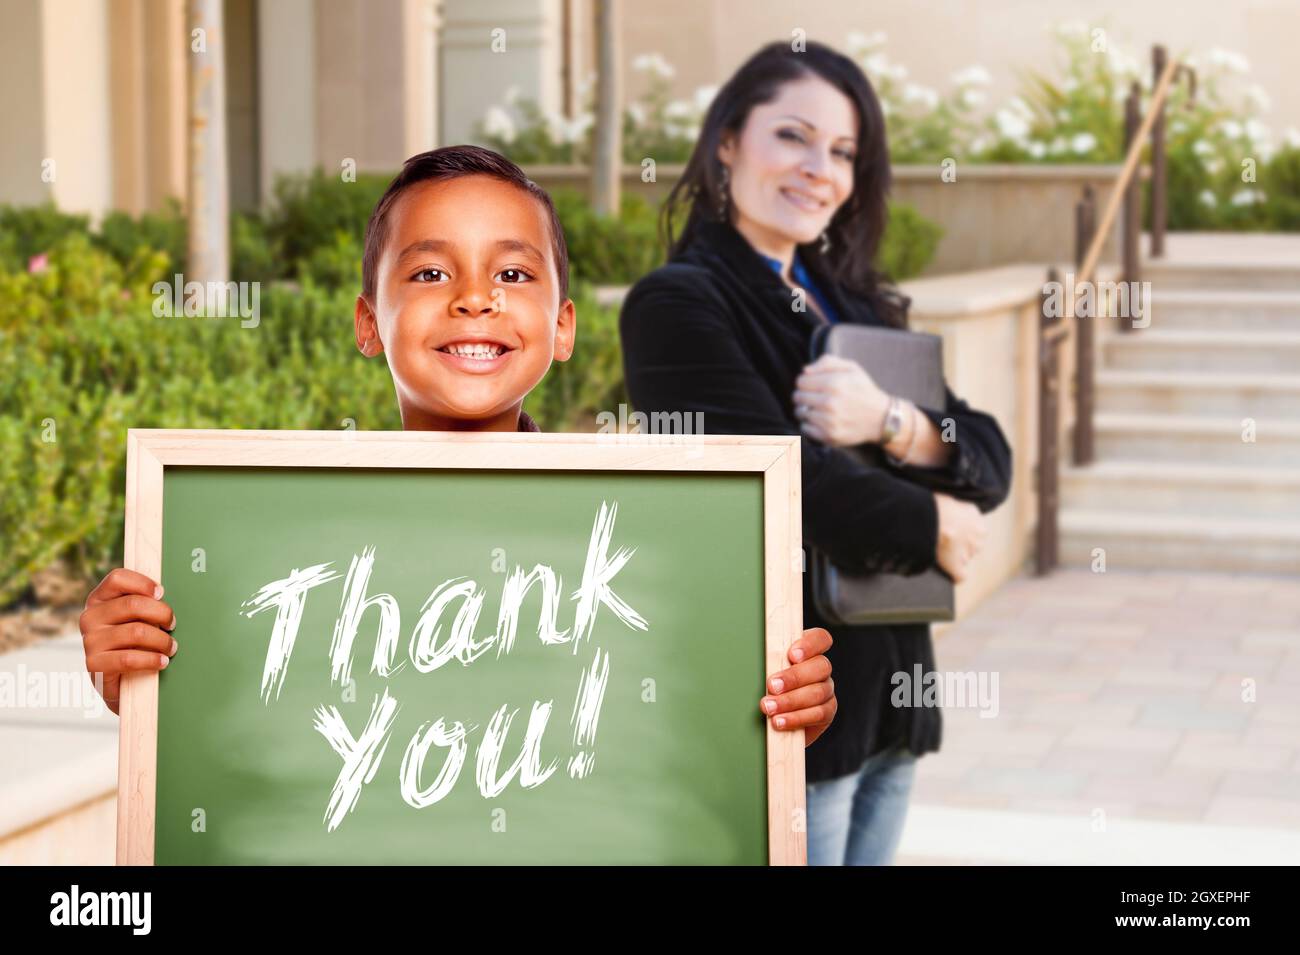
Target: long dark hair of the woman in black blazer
{"type": "Point", "coordinates": [857, 227]}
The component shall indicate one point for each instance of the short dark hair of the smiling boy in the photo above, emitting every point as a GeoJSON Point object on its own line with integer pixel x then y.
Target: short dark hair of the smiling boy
{"type": "Point", "coordinates": [450, 163]}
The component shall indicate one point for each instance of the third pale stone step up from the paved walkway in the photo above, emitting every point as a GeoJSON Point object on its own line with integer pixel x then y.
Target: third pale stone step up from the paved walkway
{"type": "Point", "coordinates": [1198, 440]}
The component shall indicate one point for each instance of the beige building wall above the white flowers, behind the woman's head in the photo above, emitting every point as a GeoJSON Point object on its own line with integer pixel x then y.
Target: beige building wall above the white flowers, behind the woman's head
{"type": "Point", "coordinates": [708, 40]}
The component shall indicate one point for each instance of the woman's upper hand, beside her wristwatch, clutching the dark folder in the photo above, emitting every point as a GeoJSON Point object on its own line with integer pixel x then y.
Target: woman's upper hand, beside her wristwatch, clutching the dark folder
{"type": "Point", "coordinates": [838, 403]}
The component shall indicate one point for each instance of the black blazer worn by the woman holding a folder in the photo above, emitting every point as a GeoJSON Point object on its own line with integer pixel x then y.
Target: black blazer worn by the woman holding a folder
{"type": "Point", "coordinates": [714, 332]}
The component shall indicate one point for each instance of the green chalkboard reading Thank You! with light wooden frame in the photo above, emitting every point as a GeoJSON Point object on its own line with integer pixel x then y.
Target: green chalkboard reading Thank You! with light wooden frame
{"type": "Point", "coordinates": [406, 649]}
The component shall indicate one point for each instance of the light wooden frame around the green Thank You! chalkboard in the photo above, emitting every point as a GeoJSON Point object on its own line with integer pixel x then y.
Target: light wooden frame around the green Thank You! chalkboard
{"type": "Point", "coordinates": [150, 452]}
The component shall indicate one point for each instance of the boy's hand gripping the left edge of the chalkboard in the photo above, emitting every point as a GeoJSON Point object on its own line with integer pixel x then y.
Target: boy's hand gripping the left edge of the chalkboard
{"type": "Point", "coordinates": [125, 630]}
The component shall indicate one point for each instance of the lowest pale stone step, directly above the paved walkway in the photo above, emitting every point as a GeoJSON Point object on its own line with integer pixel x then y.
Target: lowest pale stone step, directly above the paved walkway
{"type": "Point", "coordinates": [1180, 542]}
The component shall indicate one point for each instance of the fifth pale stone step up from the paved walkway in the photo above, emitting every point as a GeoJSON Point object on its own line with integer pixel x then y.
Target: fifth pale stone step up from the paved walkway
{"type": "Point", "coordinates": [1202, 350]}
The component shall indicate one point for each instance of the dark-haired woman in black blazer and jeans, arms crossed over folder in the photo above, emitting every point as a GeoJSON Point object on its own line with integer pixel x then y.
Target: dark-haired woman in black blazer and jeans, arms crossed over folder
{"type": "Point", "coordinates": [785, 205]}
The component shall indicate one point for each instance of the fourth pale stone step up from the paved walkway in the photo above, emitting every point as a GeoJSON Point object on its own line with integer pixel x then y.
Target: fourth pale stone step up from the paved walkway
{"type": "Point", "coordinates": [1199, 393]}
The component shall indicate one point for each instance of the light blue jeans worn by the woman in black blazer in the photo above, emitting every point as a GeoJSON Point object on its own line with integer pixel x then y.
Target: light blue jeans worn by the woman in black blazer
{"type": "Point", "coordinates": [857, 819]}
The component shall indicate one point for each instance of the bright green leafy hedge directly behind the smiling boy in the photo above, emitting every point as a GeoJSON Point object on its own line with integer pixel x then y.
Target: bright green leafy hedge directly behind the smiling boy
{"type": "Point", "coordinates": [83, 359]}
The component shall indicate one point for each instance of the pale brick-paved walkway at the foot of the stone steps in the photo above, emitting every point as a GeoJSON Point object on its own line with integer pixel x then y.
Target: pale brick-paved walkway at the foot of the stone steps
{"type": "Point", "coordinates": [1162, 709]}
